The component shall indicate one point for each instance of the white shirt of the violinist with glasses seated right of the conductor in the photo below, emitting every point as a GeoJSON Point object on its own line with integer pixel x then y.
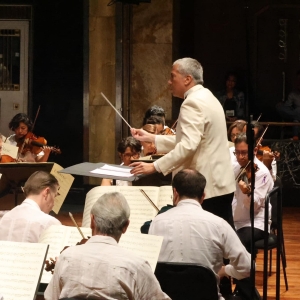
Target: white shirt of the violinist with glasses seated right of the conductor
{"type": "Point", "coordinates": [241, 202]}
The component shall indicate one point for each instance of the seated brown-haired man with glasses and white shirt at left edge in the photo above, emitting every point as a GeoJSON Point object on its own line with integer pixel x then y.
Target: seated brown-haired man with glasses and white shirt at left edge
{"type": "Point", "coordinates": [26, 222]}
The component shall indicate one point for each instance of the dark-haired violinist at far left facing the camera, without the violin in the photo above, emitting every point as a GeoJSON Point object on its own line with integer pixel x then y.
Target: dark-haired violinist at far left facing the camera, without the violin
{"type": "Point", "coordinates": [21, 125]}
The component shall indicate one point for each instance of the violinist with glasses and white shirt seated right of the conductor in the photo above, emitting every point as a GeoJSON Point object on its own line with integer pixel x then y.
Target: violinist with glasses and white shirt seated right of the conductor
{"type": "Point", "coordinates": [241, 202]}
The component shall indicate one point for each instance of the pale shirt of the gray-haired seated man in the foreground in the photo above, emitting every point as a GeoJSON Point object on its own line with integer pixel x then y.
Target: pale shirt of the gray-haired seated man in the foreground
{"type": "Point", "coordinates": [101, 269]}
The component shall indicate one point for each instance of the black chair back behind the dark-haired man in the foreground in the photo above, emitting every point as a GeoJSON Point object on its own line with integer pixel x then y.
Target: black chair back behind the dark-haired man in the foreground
{"type": "Point", "coordinates": [185, 281]}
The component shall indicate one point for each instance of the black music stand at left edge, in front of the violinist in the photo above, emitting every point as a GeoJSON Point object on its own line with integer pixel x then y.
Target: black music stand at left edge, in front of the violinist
{"type": "Point", "coordinates": [14, 175]}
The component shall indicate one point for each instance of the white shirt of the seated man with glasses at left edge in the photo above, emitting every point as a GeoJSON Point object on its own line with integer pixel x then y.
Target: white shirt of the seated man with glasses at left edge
{"type": "Point", "coordinates": [25, 223]}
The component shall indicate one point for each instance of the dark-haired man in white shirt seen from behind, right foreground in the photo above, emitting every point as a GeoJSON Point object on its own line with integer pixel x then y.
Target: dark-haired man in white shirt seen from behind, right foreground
{"type": "Point", "coordinates": [193, 235]}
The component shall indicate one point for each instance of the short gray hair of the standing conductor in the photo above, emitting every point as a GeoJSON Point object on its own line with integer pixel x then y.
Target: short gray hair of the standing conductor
{"type": "Point", "coordinates": [190, 66]}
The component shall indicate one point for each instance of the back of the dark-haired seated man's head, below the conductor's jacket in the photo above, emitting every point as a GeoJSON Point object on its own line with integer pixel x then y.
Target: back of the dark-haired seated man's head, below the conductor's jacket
{"type": "Point", "coordinates": [189, 183]}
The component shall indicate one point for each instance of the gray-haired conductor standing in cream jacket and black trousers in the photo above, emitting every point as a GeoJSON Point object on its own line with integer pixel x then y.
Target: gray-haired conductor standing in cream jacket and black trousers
{"type": "Point", "coordinates": [200, 141]}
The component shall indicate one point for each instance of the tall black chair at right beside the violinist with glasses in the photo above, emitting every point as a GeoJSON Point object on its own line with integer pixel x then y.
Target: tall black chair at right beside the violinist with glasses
{"type": "Point", "coordinates": [274, 239]}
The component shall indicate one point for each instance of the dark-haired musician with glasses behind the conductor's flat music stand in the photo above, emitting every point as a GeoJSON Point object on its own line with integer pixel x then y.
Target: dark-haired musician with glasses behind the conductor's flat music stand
{"type": "Point", "coordinates": [129, 148]}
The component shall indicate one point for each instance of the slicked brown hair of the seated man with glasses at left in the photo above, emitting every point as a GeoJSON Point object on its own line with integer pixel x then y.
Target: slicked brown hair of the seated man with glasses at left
{"type": "Point", "coordinates": [38, 181]}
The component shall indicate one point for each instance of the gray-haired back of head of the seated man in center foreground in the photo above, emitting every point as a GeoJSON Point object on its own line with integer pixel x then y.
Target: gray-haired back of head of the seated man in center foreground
{"type": "Point", "coordinates": [111, 212]}
